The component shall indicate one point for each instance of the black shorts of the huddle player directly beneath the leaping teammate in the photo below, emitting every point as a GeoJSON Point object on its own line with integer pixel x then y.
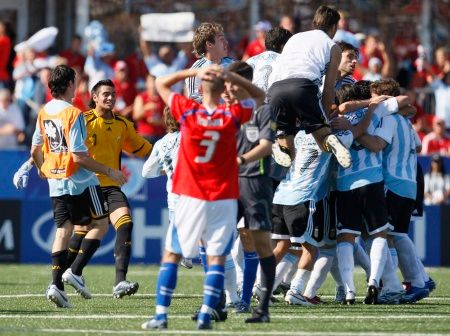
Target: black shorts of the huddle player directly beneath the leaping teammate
{"type": "Point", "coordinates": [299, 223]}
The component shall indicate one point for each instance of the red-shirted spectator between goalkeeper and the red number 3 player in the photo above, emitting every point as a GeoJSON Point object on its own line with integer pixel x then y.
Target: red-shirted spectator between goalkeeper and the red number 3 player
{"type": "Point", "coordinates": [148, 112]}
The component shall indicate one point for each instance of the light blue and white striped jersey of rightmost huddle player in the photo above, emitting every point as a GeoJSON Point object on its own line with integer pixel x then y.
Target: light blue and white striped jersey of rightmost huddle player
{"type": "Point", "coordinates": [400, 157]}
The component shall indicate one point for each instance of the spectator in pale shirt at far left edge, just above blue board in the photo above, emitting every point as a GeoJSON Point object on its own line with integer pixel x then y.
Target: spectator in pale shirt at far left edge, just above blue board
{"type": "Point", "coordinates": [11, 122]}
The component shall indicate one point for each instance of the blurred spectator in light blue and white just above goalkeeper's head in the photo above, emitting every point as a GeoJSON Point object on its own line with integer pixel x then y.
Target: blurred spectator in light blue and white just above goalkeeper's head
{"type": "Point", "coordinates": [97, 65]}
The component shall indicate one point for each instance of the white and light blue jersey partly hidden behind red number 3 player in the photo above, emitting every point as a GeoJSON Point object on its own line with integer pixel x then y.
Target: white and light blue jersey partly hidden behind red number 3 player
{"type": "Point", "coordinates": [164, 158]}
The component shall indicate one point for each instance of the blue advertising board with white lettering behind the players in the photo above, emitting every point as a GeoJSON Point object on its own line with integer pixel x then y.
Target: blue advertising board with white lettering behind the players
{"type": "Point", "coordinates": [27, 228]}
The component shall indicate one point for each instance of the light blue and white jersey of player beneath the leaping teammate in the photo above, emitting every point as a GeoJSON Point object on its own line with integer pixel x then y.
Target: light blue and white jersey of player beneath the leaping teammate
{"type": "Point", "coordinates": [308, 176]}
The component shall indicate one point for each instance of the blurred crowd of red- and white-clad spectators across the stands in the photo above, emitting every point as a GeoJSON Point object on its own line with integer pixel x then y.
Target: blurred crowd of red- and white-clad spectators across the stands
{"type": "Point", "coordinates": [24, 73]}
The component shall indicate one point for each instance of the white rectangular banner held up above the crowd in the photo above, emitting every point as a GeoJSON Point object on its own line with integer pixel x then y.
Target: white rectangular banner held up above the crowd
{"type": "Point", "coordinates": [173, 27]}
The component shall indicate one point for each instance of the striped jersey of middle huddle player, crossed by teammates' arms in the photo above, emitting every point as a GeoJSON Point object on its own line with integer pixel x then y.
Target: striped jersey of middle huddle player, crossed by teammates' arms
{"type": "Point", "coordinates": [366, 165]}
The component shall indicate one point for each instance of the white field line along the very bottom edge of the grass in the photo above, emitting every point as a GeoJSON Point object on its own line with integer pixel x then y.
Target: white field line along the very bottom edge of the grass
{"type": "Point", "coordinates": [215, 332]}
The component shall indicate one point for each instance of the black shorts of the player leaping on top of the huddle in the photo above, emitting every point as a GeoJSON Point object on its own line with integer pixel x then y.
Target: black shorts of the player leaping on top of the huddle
{"type": "Point", "coordinates": [296, 99]}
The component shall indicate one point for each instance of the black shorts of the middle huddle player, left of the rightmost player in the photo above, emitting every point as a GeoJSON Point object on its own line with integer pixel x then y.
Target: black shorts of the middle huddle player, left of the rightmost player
{"type": "Point", "coordinates": [365, 205]}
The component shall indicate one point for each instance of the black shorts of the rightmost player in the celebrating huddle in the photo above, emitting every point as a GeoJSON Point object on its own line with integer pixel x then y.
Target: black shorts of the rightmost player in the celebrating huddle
{"type": "Point", "coordinates": [399, 212]}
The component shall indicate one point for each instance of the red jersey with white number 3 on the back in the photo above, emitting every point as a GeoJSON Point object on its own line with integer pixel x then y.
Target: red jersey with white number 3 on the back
{"type": "Point", "coordinates": [206, 167]}
